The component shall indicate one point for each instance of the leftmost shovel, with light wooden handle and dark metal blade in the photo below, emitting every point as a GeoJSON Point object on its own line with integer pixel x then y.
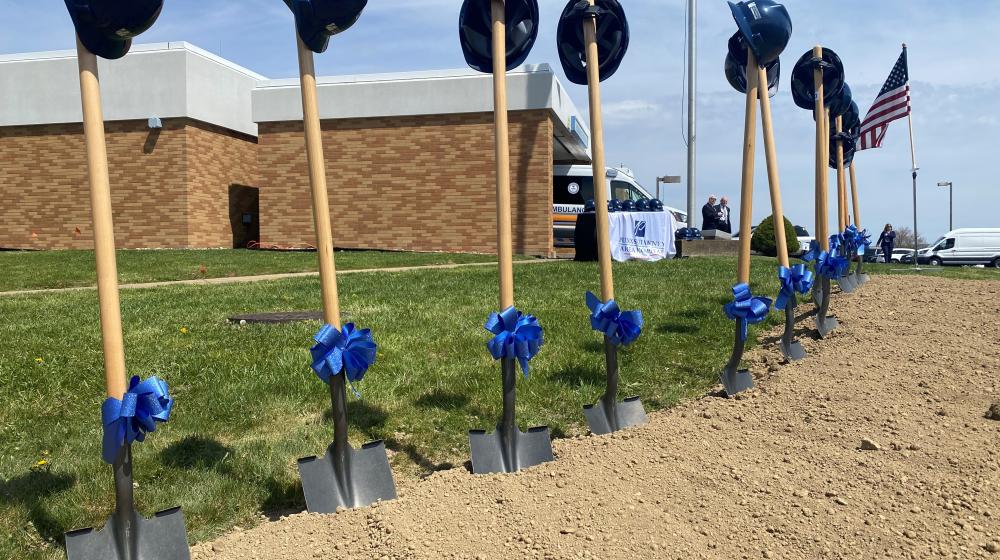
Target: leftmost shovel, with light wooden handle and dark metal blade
{"type": "Point", "coordinates": [127, 535]}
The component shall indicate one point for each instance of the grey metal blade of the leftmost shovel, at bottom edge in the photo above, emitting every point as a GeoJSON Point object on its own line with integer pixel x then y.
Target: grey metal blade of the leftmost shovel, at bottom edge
{"type": "Point", "coordinates": [161, 538]}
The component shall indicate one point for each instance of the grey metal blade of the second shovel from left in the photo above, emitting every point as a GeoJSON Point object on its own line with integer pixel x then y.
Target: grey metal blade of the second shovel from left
{"type": "Point", "coordinates": [361, 478]}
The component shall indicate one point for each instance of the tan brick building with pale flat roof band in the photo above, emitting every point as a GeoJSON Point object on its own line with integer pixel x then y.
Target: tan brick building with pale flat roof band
{"type": "Point", "coordinates": [409, 157]}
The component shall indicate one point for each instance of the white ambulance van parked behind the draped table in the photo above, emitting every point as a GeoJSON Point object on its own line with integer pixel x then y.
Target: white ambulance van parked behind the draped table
{"type": "Point", "coordinates": [573, 185]}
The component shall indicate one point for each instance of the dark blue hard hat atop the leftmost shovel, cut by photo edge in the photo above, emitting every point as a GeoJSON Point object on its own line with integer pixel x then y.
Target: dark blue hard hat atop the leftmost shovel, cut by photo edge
{"type": "Point", "coordinates": [106, 27]}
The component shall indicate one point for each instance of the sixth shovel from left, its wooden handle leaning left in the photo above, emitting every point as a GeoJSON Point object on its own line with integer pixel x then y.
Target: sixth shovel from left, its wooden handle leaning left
{"type": "Point", "coordinates": [790, 348]}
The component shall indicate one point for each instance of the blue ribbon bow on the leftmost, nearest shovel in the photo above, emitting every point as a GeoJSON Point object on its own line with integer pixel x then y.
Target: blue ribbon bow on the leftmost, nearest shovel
{"type": "Point", "coordinates": [128, 420]}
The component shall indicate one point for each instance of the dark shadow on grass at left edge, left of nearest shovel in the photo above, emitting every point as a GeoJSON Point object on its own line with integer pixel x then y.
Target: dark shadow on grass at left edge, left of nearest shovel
{"type": "Point", "coordinates": [30, 490]}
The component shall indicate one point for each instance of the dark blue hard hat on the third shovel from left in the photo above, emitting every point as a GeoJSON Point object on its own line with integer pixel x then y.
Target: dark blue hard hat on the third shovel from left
{"type": "Point", "coordinates": [475, 31]}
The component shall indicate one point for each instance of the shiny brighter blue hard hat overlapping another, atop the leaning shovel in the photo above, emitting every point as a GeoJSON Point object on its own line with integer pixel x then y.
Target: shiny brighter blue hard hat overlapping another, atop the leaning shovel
{"type": "Point", "coordinates": [765, 26]}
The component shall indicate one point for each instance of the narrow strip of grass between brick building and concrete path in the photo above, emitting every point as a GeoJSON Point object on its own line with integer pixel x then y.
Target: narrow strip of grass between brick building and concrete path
{"type": "Point", "coordinates": [67, 269]}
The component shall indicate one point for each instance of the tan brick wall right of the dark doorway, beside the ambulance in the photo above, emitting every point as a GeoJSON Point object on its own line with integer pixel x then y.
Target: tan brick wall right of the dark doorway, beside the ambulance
{"type": "Point", "coordinates": [423, 183]}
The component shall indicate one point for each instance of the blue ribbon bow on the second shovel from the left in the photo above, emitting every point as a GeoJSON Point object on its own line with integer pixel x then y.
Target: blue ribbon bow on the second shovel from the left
{"type": "Point", "coordinates": [352, 351]}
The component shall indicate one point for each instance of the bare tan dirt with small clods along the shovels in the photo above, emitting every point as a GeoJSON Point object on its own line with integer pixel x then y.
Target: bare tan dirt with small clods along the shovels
{"type": "Point", "coordinates": [878, 445]}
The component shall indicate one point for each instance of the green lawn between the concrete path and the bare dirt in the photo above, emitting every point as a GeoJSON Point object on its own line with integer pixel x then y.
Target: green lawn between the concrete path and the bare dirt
{"type": "Point", "coordinates": [248, 405]}
